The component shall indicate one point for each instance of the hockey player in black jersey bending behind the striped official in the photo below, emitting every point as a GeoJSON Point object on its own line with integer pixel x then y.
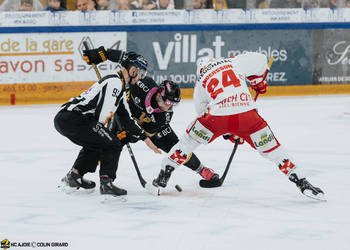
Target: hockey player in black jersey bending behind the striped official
{"type": "Point", "coordinates": [152, 107]}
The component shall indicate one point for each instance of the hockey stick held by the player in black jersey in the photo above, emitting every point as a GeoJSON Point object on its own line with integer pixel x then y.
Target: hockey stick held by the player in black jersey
{"type": "Point", "coordinates": [144, 184]}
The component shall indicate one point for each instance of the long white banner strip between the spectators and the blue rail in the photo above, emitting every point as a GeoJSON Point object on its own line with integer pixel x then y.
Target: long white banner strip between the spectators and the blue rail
{"type": "Point", "coordinates": [179, 17]}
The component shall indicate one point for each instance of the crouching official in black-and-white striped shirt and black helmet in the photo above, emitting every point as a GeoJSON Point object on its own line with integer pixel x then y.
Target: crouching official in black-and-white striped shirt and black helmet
{"type": "Point", "coordinates": [84, 120]}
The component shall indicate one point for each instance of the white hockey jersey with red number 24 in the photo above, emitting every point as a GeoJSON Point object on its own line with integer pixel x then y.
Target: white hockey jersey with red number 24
{"type": "Point", "coordinates": [222, 87]}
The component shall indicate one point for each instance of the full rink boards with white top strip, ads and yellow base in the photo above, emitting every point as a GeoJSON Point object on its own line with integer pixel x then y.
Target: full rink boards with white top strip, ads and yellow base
{"type": "Point", "coordinates": [44, 64]}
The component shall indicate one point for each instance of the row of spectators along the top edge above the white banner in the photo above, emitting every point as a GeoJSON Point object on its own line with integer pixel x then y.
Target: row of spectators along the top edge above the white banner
{"type": "Point", "coordinates": [91, 5]}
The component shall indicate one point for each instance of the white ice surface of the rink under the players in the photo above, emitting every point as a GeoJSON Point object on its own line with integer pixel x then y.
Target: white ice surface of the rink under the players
{"type": "Point", "coordinates": [256, 208]}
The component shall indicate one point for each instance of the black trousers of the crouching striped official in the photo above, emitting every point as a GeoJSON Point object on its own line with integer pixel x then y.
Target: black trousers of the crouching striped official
{"type": "Point", "coordinates": [98, 143]}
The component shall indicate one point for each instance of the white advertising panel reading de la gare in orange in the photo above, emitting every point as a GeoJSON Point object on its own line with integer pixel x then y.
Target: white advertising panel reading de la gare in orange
{"type": "Point", "coordinates": [53, 57]}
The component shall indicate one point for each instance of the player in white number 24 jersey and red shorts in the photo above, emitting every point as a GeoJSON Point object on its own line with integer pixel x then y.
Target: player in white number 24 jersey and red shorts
{"type": "Point", "coordinates": [226, 108]}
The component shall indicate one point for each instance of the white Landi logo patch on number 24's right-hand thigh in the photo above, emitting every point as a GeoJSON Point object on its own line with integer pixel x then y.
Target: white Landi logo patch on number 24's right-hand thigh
{"type": "Point", "coordinates": [263, 139]}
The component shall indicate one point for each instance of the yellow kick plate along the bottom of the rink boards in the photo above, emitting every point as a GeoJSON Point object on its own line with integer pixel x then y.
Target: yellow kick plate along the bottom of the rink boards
{"type": "Point", "coordinates": [43, 93]}
